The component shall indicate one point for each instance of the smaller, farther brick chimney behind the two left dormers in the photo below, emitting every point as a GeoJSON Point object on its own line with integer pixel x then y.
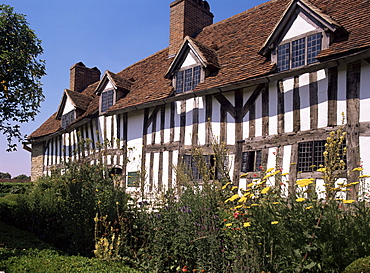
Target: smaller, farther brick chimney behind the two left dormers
{"type": "Point", "coordinates": [82, 76]}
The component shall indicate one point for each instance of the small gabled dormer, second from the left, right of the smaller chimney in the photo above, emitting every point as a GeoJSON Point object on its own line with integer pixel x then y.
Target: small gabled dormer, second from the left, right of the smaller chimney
{"type": "Point", "coordinates": [110, 89]}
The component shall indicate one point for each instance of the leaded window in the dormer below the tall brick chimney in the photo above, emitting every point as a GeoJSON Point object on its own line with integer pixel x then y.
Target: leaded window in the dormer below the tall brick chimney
{"type": "Point", "coordinates": [187, 79]}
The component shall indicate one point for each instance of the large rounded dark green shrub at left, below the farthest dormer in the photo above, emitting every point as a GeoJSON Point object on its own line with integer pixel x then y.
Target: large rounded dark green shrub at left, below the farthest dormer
{"type": "Point", "coordinates": [61, 208]}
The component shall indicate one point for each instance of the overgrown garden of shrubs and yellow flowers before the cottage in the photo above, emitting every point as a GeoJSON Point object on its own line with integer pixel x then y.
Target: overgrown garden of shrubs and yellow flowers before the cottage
{"type": "Point", "coordinates": [211, 225]}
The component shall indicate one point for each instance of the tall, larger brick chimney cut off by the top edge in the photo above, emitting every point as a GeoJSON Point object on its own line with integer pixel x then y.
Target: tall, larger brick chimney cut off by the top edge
{"type": "Point", "coordinates": [187, 18]}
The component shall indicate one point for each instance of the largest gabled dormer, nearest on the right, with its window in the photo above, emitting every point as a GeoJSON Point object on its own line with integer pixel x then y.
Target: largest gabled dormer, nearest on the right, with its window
{"type": "Point", "coordinates": [299, 36]}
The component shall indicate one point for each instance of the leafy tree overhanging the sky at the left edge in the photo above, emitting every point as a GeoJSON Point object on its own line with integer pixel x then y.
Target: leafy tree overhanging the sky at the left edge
{"type": "Point", "coordinates": [20, 74]}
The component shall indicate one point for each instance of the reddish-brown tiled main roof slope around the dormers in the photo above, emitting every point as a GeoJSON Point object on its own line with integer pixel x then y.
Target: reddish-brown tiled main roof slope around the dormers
{"type": "Point", "coordinates": [236, 42]}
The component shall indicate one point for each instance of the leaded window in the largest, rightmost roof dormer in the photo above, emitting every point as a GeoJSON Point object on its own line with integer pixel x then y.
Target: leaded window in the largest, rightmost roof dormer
{"type": "Point", "coordinates": [299, 52]}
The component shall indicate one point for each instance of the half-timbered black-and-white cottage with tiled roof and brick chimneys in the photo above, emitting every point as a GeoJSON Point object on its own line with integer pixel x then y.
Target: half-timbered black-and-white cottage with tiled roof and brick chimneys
{"type": "Point", "coordinates": [275, 79]}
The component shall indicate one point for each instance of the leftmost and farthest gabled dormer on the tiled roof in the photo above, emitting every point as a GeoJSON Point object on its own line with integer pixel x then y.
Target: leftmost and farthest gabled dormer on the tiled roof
{"type": "Point", "coordinates": [72, 105]}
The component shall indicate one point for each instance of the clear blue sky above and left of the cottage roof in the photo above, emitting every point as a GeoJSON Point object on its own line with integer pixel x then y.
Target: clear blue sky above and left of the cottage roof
{"type": "Point", "coordinates": [109, 34]}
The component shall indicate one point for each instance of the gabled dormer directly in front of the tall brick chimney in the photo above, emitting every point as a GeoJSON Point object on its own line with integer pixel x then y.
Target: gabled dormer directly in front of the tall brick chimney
{"type": "Point", "coordinates": [192, 64]}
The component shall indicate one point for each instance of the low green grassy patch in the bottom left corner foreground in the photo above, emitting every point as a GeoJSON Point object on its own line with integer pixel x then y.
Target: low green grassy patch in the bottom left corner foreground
{"type": "Point", "coordinates": [21, 251]}
